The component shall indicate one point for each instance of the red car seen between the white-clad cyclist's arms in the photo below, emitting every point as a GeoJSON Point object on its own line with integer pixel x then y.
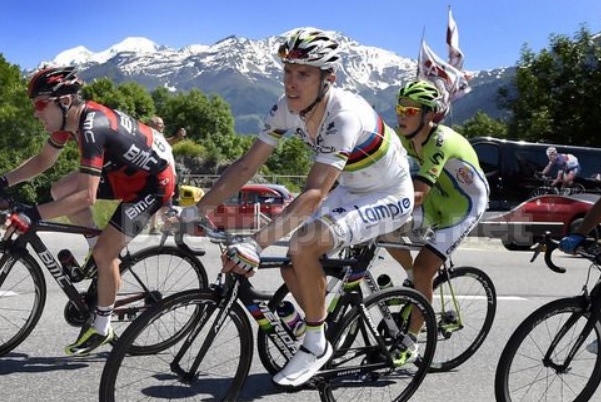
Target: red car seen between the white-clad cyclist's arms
{"type": "Point", "coordinates": [251, 207]}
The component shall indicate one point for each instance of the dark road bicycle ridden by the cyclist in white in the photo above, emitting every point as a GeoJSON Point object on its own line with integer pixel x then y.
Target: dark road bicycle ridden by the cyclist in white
{"type": "Point", "coordinates": [213, 359]}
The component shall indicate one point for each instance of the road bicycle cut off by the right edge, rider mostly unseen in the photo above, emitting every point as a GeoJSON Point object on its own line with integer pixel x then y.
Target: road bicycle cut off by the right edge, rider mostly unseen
{"type": "Point", "coordinates": [552, 354]}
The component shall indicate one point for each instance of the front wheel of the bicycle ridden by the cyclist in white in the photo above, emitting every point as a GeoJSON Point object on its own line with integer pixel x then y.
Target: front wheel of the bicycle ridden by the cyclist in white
{"type": "Point", "coordinates": [222, 371]}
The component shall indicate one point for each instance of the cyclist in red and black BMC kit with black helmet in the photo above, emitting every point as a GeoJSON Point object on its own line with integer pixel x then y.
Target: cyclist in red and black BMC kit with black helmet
{"type": "Point", "coordinates": [121, 159]}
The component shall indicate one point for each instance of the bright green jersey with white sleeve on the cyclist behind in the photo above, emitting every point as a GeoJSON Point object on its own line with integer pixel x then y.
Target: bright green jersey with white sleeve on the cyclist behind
{"type": "Point", "coordinates": [448, 164]}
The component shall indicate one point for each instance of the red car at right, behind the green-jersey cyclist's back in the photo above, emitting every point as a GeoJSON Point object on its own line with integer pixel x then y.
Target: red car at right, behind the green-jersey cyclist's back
{"type": "Point", "coordinates": [524, 225]}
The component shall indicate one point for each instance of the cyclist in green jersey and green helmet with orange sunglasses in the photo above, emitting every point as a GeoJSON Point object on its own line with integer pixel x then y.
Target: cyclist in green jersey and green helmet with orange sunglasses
{"type": "Point", "coordinates": [451, 191]}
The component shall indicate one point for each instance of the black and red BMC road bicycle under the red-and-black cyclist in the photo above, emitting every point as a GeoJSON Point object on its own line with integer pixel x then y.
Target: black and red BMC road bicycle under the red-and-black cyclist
{"type": "Point", "coordinates": [147, 276]}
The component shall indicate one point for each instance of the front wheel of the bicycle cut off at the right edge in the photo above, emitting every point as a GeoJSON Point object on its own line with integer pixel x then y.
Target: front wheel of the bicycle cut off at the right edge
{"type": "Point", "coordinates": [523, 372]}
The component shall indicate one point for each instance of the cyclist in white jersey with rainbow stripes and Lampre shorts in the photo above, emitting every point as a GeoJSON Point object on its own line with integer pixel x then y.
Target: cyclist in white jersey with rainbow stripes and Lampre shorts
{"type": "Point", "coordinates": [352, 145]}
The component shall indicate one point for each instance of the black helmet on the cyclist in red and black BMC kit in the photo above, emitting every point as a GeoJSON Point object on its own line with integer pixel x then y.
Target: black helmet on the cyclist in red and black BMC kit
{"type": "Point", "coordinates": [54, 81]}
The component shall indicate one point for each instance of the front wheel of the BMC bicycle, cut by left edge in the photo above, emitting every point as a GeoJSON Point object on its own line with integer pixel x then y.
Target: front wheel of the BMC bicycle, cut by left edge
{"type": "Point", "coordinates": [22, 300]}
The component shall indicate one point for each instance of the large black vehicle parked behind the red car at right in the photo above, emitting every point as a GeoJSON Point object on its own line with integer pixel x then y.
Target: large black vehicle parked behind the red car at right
{"type": "Point", "coordinates": [511, 167]}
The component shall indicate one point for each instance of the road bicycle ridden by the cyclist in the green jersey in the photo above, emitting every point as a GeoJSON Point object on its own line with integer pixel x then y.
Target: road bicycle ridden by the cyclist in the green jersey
{"type": "Point", "coordinates": [465, 304]}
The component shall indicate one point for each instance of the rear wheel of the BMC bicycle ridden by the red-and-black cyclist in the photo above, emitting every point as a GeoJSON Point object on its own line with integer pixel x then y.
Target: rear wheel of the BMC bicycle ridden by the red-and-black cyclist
{"type": "Point", "coordinates": [148, 276]}
